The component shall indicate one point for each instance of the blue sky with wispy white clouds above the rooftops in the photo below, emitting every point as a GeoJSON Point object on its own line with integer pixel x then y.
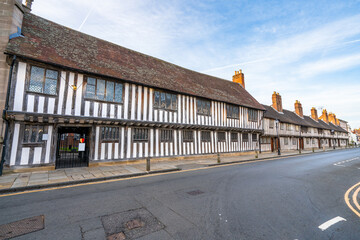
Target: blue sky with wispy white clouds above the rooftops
{"type": "Point", "coordinates": [305, 50]}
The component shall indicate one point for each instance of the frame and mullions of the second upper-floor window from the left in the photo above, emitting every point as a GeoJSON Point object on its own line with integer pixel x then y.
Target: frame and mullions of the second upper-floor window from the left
{"type": "Point", "coordinates": [95, 98]}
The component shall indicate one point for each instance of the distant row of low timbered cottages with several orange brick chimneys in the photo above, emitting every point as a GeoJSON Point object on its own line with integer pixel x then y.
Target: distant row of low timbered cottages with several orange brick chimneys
{"type": "Point", "coordinates": [294, 130]}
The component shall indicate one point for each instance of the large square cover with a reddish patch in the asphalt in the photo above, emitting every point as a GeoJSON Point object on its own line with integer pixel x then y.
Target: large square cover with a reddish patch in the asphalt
{"type": "Point", "coordinates": [133, 224]}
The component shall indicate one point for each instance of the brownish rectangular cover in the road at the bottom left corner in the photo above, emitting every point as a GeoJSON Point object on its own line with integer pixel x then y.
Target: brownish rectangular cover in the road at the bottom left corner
{"type": "Point", "coordinates": [21, 227]}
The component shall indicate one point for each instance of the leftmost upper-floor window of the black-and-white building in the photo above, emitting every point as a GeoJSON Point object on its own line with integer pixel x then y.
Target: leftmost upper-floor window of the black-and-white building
{"type": "Point", "coordinates": [43, 80]}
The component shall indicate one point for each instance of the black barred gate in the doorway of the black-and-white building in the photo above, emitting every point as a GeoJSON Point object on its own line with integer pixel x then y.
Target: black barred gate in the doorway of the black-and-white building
{"type": "Point", "coordinates": [72, 148]}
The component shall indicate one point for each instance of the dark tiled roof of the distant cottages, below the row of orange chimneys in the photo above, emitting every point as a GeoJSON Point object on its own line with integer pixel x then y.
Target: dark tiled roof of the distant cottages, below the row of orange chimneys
{"type": "Point", "coordinates": [290, 117]}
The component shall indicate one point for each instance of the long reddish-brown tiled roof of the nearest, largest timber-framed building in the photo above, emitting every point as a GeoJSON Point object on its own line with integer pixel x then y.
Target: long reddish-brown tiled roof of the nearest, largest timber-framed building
{"type": "Point", "coordinates": [52, 43]}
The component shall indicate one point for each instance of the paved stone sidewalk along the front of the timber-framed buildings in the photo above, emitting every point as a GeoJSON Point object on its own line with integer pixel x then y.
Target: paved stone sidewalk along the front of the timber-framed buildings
{"type": "Point", "coordinates": [30, 180]}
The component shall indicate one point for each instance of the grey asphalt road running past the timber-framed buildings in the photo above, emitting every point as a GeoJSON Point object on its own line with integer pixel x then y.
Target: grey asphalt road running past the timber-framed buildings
{"type": "Point", "coordinates": [285, 198]}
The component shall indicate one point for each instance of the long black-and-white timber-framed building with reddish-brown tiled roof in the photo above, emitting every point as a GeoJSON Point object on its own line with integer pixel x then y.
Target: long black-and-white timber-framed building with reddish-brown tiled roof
{"type": "Point", "coordinates": [75, 99]}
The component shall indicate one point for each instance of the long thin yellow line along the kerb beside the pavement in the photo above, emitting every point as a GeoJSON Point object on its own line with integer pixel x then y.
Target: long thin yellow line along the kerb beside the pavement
{"type": "Point", "coordinates": [144, 176]}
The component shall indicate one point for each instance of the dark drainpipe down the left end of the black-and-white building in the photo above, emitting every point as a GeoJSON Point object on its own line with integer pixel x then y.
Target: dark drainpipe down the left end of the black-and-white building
{"type": "Point", "coordinates": [2, 161]}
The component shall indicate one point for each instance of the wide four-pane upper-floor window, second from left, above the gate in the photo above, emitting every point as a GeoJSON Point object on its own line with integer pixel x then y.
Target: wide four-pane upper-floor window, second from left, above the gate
{"type": "Point", "coordinates": [104, 90]}
